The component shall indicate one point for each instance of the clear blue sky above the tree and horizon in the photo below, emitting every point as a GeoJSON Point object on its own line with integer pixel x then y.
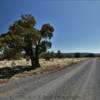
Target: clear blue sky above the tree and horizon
{"type": "Point", "coordinates": [76, 23]}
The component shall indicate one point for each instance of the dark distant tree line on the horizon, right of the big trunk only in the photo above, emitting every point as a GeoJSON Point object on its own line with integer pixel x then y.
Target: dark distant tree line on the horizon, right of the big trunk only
{"type": "Point", "coordinates": [59, 54]}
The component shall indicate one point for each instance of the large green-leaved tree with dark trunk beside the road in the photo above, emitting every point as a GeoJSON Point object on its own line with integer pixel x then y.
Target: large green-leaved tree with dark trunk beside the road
{"type": "Point", "coordinates": [23, 35]}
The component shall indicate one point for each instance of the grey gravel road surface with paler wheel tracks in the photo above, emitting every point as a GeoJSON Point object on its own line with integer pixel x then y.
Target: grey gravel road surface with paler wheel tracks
{"type": "Point", "coordinates": [78, 82]}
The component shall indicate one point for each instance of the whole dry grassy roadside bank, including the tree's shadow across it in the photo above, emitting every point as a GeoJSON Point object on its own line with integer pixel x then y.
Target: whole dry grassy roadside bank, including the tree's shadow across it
{"type": "Point", "coordinates": [19, 70]}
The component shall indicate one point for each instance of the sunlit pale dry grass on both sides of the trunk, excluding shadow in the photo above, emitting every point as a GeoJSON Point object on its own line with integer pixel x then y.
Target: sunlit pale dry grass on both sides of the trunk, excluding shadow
{"type": "Point", "coordinates": [46, 66]}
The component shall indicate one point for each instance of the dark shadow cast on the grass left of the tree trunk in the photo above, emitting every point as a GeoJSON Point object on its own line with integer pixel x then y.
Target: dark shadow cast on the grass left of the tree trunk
{"type": "Point", "coordinates": [8, 72]}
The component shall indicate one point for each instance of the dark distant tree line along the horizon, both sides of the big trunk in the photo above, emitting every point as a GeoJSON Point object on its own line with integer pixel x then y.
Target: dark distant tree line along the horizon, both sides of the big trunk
{"type": "Point", "coordinates": [46, 55]}
